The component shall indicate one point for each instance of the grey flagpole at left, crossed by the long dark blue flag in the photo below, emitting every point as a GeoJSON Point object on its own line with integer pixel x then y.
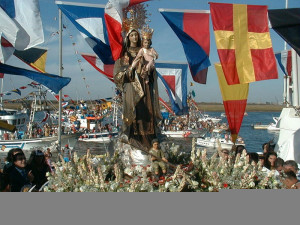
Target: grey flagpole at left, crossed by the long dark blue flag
{"type": "Point", "coordinates": [60, 74]}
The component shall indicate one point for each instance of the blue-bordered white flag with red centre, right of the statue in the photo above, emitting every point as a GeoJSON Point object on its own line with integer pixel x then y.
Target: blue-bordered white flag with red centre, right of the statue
{"type": "Point", "coordinates": [174, 78]}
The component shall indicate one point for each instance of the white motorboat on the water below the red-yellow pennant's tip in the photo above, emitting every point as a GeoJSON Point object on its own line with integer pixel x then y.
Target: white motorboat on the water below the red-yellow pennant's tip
{"type": "Point", "coordinates": [215, 137]}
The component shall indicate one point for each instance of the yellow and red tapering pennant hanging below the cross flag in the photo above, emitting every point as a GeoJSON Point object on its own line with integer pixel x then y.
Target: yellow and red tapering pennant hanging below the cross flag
{"type": "Point", "coordinates": [234, 101]}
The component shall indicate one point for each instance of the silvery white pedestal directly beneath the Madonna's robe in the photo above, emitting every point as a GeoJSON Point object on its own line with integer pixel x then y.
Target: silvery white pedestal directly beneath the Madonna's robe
{"type": "Point", "coordinates": [131, 155]}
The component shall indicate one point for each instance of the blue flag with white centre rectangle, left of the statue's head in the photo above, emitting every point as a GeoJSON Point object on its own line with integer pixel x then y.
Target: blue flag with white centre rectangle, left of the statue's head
{"type": "Point", "coordinates": [89, 20]}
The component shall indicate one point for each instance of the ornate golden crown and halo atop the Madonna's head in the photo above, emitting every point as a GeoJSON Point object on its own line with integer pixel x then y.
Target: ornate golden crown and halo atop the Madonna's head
{"type": "Point", "coordinates": [134, 17]}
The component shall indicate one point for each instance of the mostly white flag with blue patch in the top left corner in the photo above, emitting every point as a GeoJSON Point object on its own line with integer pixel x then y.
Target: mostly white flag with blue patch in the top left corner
{"type": "Point", "coordinates": [21, 23]}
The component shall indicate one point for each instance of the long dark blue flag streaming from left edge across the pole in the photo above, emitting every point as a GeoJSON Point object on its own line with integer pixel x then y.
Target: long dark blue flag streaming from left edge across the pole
{"type": "Point", "coordinates": [51, 81]}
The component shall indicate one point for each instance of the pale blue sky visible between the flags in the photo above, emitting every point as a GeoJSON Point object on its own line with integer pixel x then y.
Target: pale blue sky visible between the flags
{"type": "Point", "coordinates": [89, 84]}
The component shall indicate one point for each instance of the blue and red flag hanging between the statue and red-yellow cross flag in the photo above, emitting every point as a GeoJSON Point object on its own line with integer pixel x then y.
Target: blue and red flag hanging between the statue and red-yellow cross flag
{"type": "Point", "coordinates": [192, 28]}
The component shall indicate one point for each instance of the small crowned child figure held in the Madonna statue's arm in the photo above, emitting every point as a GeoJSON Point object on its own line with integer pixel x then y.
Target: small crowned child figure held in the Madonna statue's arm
{"type": "Point", "coordinates": [149, 55]}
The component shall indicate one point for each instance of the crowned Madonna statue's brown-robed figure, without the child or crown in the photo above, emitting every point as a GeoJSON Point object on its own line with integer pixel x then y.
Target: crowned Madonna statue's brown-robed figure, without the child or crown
{"type": "Point", "coordinates": [140, 99]}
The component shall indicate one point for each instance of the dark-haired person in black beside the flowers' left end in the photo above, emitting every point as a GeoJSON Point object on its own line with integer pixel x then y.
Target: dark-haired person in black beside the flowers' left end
{"type": "Point", "coordinates": [37, 163]}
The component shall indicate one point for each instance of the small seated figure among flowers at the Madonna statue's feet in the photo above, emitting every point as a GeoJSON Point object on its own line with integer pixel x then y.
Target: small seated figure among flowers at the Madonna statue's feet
{"type": "Point", "coordinates": [158, 158]}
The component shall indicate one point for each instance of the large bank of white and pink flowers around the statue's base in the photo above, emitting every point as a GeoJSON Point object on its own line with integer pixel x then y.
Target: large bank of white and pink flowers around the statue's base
{"type": "Point", "coordinates": [105, 173]}
